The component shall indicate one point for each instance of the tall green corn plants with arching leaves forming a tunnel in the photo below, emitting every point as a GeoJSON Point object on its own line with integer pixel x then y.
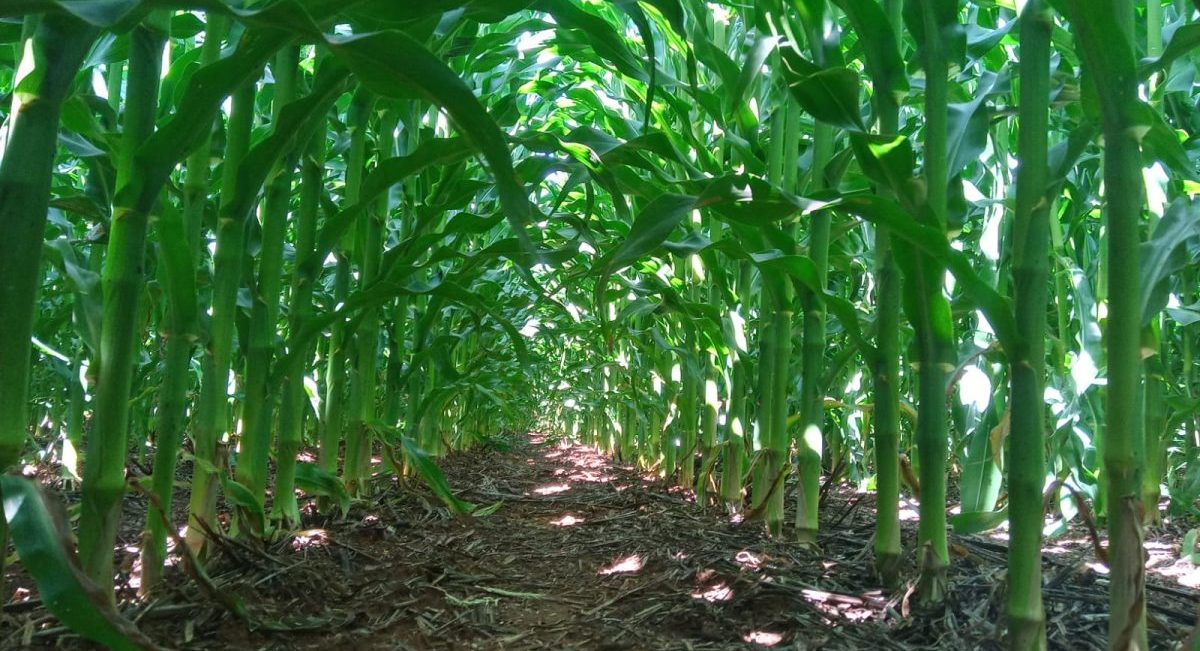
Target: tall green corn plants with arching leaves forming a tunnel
{"type": "Point", "coordinates": [937, 248]}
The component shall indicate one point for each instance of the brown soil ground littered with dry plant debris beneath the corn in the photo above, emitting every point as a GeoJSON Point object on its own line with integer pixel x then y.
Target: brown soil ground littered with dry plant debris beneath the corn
{"type": "Point", "coordinates": [585, 553]}
